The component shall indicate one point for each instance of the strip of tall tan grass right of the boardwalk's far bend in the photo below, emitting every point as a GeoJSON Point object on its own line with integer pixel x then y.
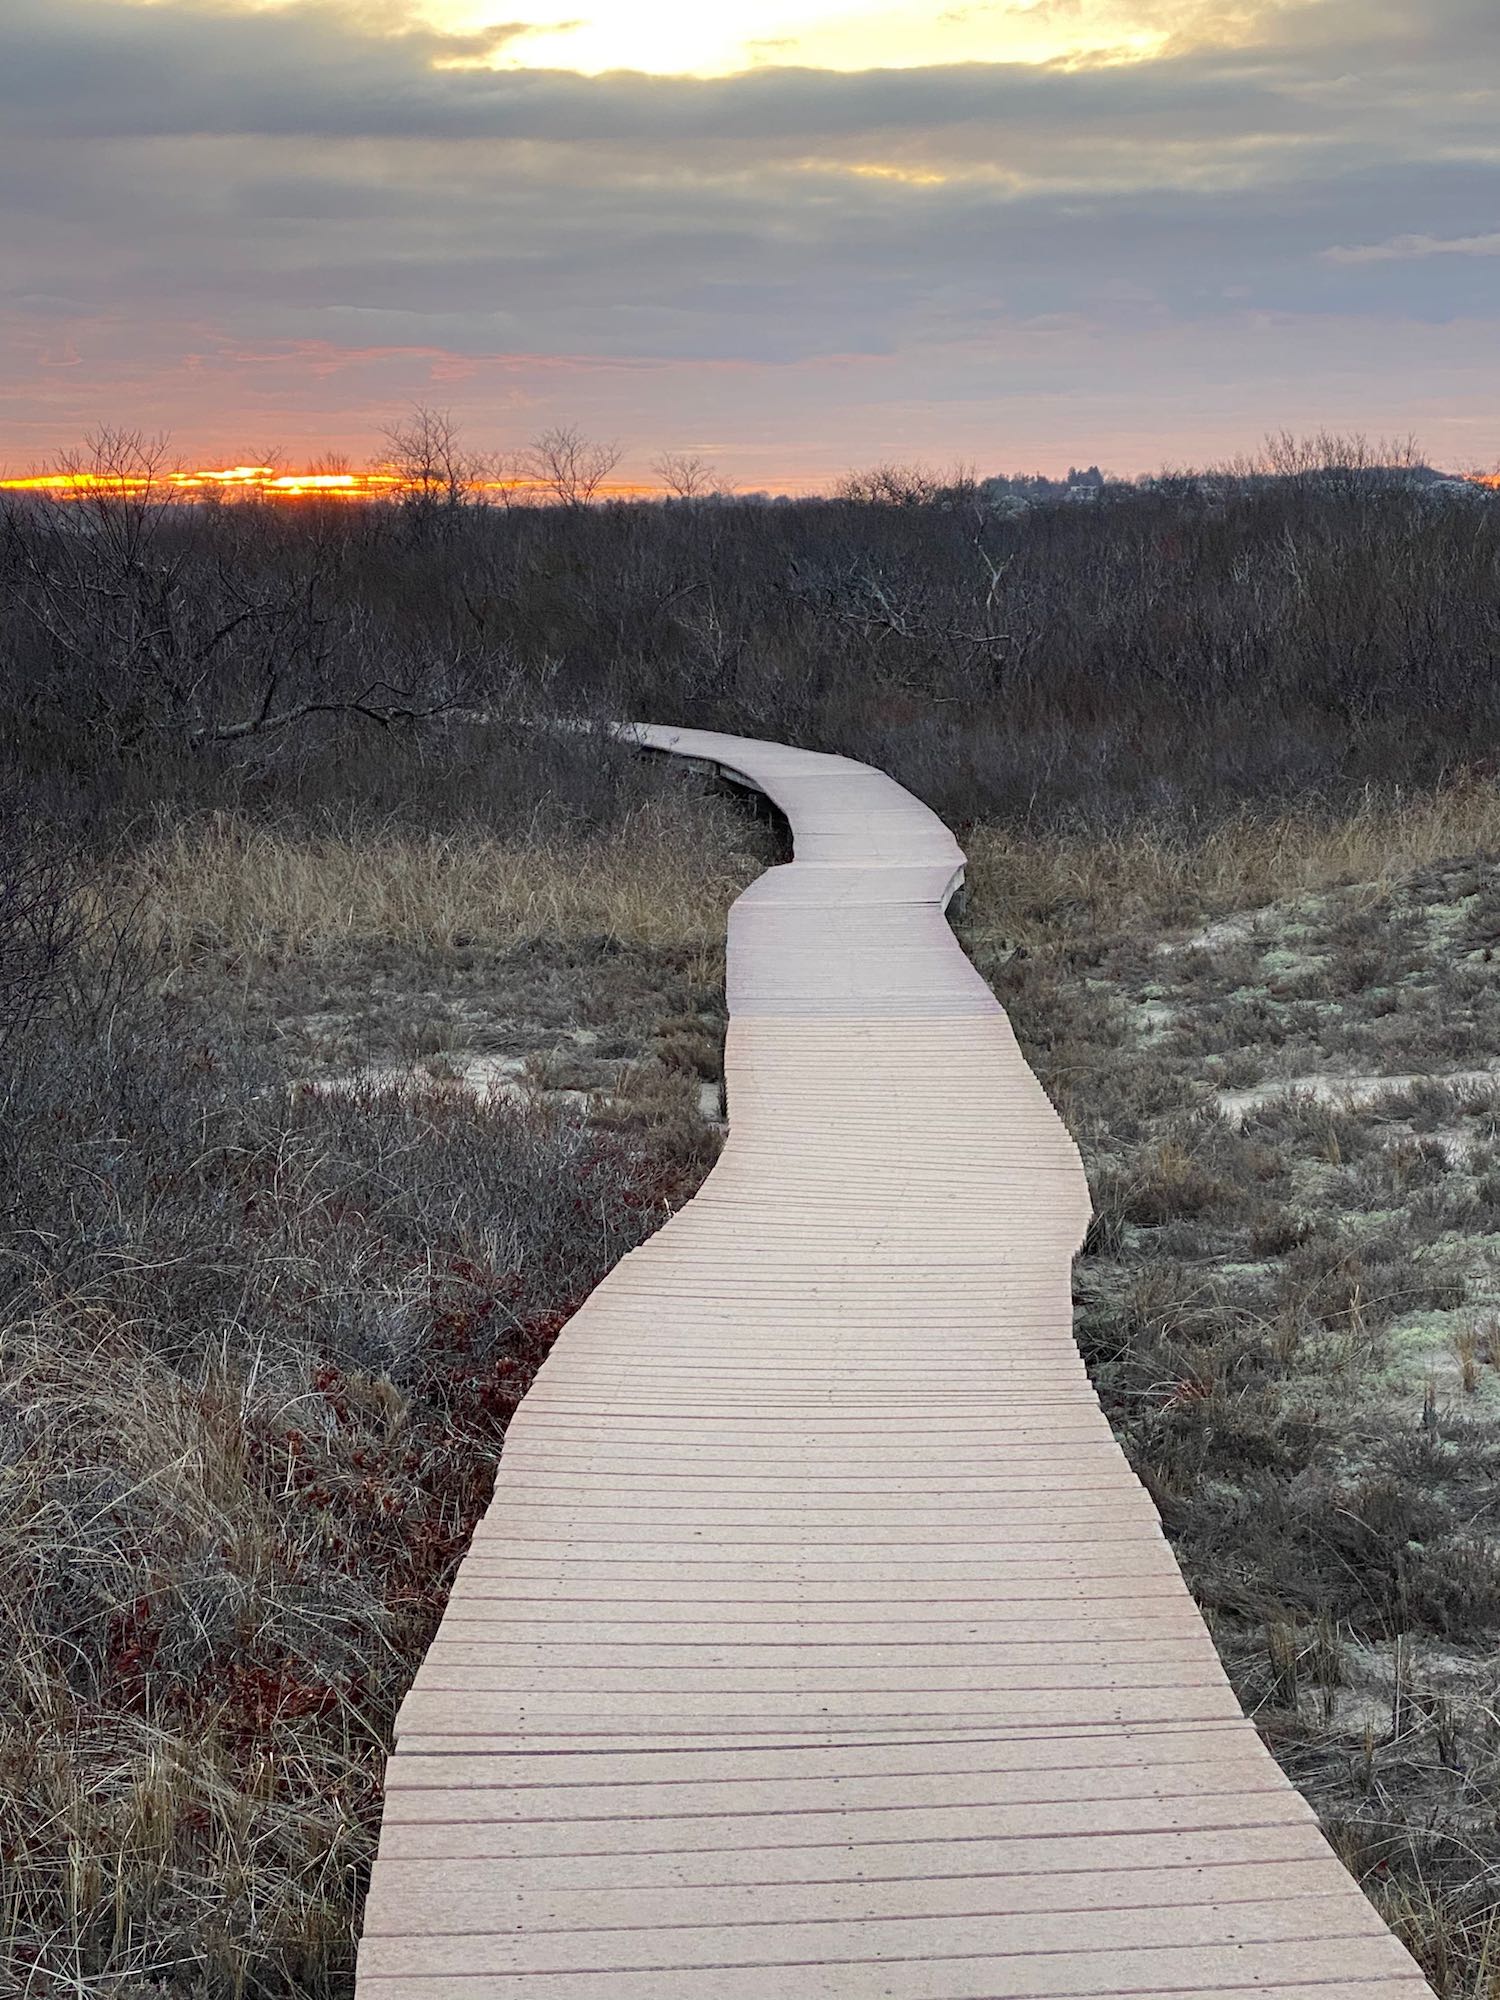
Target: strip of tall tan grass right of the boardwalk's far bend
{"type": "Point", "coordinates": [1023, 885]}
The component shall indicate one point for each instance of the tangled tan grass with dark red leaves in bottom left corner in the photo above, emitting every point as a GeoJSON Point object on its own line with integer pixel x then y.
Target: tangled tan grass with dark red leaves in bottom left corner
{"type": "Point", "coordinates": [147, 1825]}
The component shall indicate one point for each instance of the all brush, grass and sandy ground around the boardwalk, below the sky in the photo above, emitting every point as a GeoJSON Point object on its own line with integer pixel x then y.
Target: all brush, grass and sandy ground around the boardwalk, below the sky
{"type": "Point", "coordinates": [355, 1019]}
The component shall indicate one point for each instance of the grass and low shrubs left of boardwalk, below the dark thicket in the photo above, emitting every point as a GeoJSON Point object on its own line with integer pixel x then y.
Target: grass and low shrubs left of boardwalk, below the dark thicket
{"type": "Point", "coordinates": [259, 1343]}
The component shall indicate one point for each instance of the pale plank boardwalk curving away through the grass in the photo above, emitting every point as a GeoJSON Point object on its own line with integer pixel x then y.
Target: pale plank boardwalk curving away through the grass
{"type": "Point", "coordinates": [819, 1643]}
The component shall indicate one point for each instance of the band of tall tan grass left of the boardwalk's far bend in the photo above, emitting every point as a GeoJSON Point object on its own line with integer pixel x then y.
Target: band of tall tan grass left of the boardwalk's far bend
{"type": "Point", "coordinates": [231, 887]}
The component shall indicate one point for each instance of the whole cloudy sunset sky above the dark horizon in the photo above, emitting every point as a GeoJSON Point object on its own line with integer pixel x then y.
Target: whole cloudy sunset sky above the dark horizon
{"type": "Point", "coordinates": [793, 237]}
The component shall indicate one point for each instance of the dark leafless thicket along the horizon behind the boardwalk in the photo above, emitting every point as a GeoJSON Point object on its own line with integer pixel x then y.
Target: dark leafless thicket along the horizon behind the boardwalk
{"type": "Point", "coordinates": [1167, 653]}
